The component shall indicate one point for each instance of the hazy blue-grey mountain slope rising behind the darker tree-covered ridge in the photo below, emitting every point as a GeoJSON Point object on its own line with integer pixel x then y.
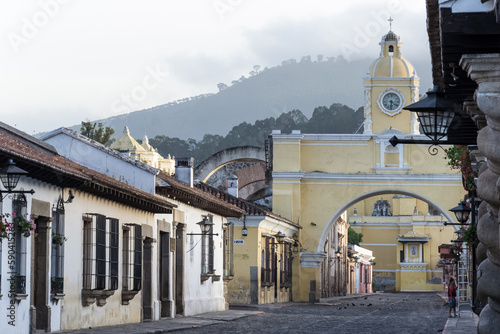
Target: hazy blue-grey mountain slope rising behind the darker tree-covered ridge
{"type": "Point", "coordinates": [265, 93]}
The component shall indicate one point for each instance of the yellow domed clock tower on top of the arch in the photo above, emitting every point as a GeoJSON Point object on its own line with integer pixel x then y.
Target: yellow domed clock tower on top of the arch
{"type": "Point", "coordinates": [390, 85]}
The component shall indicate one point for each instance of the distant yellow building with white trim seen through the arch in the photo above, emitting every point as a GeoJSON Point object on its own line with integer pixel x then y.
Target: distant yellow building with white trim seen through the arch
{"type": "Point", "coordinates": [405, 242]}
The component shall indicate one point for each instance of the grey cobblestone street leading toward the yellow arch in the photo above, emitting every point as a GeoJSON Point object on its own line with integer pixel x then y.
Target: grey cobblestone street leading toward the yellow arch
{"type": "Point", "coordinates": [379, 313]}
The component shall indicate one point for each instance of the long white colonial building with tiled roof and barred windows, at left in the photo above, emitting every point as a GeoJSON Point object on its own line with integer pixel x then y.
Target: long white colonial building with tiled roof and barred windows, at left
{"type": "Point", "coordinates": [106, 249]}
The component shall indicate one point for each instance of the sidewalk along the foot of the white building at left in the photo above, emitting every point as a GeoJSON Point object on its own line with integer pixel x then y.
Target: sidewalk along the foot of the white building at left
{"type": "Point", "coordinates": [168, 324]}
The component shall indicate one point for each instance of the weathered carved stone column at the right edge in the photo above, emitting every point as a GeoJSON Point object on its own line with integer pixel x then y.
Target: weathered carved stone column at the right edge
{"type": "Point", "coordinates": [485, 70]}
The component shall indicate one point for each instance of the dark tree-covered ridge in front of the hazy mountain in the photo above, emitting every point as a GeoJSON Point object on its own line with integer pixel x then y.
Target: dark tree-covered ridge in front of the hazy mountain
{"type": "Point", "coordinates": [337, 118]}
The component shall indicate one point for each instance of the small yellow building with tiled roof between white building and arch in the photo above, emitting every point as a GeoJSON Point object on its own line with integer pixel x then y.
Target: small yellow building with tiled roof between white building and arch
{"type": "Point", "coordinates": [264, 246]}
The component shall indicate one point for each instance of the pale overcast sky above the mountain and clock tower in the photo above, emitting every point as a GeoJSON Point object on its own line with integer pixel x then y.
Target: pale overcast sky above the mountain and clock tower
{"type": "Point", "coordinates": [64, 61]}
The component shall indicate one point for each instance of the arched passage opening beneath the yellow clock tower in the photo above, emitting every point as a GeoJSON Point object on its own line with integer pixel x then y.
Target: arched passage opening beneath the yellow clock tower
{"type": "Point", "coordinates": [403, 231]}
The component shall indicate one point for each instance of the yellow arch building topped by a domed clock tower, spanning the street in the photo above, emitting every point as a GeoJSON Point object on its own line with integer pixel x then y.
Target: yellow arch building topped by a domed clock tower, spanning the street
{"type": "Point", "coordinates": [319, 177]}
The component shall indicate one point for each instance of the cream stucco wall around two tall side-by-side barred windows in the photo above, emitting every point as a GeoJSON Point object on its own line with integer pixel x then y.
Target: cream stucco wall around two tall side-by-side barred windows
{"type": "Point", "coordinates": [75, 315]}
